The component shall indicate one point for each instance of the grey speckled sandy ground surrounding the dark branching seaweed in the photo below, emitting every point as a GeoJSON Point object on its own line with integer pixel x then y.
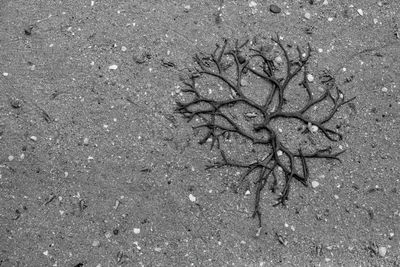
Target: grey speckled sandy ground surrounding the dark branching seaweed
{"type": "Point", "coordinates": [96, 168]}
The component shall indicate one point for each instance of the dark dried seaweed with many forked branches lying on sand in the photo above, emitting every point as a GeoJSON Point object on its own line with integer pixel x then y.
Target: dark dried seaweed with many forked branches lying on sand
{"type": "Point", "coordinates": [227, 71]}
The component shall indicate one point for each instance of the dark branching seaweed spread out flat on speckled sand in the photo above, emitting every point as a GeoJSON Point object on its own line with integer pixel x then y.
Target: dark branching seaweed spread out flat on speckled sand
{"type": "Point", "coordinates": [218, 123]}
